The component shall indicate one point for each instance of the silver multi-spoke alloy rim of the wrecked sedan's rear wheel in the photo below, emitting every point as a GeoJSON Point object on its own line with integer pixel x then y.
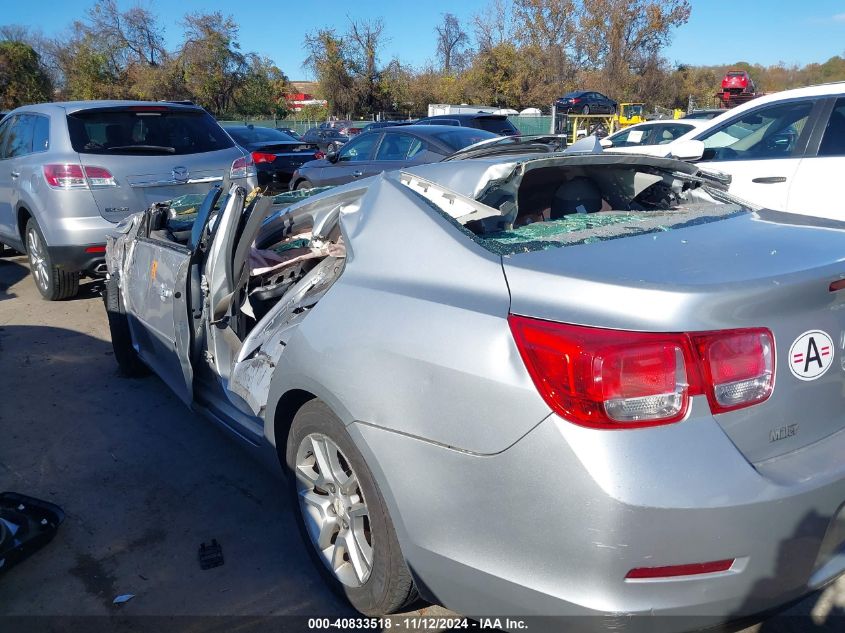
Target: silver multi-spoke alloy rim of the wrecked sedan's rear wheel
{"type": "Point", "coordinates": [334, 509]}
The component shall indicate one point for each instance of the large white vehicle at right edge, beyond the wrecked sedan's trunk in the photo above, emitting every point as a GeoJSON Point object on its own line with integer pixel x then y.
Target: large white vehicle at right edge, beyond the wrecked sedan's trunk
{"type": "Point", "coordinates": [784, 151]}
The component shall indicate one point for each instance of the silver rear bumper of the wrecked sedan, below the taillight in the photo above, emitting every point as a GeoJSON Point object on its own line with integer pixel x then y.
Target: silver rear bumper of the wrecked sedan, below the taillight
{"type": "Point", "coordinates": [552, 525]}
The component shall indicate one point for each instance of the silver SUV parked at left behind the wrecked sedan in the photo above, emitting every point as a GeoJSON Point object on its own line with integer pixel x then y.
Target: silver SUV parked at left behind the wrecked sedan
{"type": "Point", "coordinates": [70, 171]}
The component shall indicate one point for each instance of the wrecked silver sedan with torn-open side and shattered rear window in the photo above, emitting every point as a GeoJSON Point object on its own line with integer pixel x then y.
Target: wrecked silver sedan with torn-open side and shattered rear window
{"type": "Point", "coordinates": [545, 384]}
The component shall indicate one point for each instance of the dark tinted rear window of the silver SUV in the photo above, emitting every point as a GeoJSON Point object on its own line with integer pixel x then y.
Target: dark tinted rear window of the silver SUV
{"type": "Point", "coordinates": [147, 131]}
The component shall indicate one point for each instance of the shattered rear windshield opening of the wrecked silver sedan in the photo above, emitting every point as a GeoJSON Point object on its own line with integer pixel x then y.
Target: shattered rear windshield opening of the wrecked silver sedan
{"type": "Point", "coordinates": [557, 201]}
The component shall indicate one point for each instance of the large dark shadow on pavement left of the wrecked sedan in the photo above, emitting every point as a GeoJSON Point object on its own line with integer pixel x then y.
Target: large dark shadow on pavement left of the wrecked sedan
{"type": "Point", "coordinates": [144, 482]}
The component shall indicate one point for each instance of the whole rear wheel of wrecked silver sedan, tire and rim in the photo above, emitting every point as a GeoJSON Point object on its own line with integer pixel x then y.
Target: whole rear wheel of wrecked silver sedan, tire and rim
{"type": "Point", "coordinates": [343, 516]}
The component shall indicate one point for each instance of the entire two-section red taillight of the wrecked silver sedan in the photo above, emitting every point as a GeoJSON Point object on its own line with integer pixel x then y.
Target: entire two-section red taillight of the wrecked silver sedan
{"type": "Point", "coordinates": [614, 379]}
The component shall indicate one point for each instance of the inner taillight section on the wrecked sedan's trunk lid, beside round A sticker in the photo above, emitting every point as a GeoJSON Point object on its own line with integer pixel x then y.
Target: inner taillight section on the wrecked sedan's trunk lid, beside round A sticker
{"type": "Point", "coordinates": [738, 367]}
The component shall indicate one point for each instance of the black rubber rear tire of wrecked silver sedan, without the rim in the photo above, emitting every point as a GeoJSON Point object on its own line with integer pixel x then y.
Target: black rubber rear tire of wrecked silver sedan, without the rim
{"type": "Point", "coordinates": [389, 586]}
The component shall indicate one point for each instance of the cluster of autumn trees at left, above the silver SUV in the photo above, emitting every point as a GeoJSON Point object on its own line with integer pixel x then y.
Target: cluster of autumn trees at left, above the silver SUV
{"type": "Point", "coordinates": [114, 53]}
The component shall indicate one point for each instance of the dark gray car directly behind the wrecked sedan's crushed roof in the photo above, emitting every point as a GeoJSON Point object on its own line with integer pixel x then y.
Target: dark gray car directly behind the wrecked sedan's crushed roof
{"type": "Point", "coordinates": [384, 150]}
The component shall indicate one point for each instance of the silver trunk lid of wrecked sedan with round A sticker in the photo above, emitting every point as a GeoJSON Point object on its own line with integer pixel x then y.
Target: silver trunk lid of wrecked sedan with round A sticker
{"type": "Point", "coordinates": [763, 269]}
